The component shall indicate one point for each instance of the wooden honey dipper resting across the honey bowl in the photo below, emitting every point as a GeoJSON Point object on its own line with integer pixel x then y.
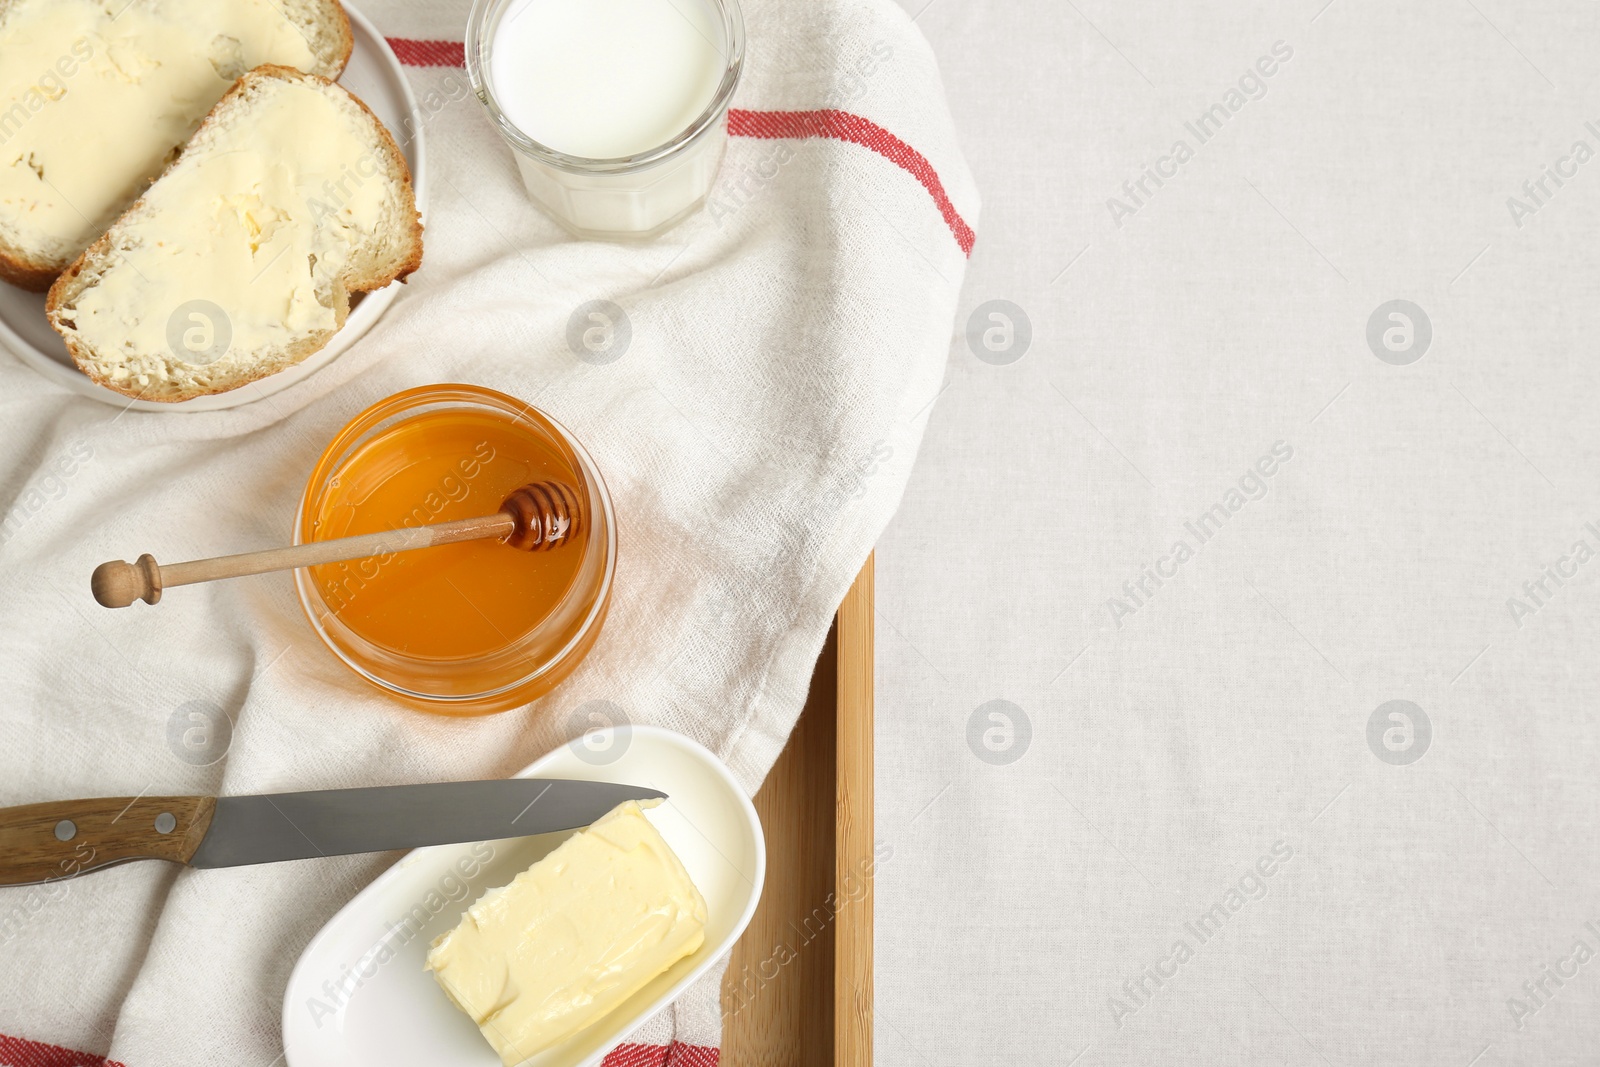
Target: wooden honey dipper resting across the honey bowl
{"type": "Point", "coordinates": [537, 518]}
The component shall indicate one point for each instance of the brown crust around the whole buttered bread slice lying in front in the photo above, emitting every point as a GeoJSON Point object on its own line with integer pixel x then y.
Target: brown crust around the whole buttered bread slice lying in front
{"type": "Point", "coordinates": [65, 287]}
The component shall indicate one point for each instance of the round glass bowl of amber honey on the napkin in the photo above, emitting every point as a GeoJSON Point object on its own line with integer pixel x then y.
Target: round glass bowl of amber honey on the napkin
{"type": "Point", "coordinates": [457, 629]}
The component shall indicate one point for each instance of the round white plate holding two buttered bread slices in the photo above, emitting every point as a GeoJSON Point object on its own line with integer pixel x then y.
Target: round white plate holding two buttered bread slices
{"type": "Point", "coordinates": [375, 76]}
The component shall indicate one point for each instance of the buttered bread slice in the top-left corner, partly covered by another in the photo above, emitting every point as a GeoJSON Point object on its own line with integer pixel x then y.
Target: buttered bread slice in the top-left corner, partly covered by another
{"type": "Point", "coordinates": [97, 95]}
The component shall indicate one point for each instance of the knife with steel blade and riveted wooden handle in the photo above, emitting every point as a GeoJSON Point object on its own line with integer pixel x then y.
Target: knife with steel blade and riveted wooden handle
{"type": "Point", "coordinates": [70, 837]}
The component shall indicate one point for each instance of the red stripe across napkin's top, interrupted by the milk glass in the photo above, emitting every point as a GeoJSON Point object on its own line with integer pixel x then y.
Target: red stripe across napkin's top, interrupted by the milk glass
{"type": "Point", "coordinates": [838, 126]}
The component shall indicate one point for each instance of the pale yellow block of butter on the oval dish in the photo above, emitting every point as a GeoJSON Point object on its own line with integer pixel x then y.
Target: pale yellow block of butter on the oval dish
{"type": "Point", "coordinates": [574, 937]}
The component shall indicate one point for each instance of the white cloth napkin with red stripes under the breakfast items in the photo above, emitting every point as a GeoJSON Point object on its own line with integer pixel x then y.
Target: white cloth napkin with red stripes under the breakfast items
{"type": "Point", "coordinates": [758, 433]}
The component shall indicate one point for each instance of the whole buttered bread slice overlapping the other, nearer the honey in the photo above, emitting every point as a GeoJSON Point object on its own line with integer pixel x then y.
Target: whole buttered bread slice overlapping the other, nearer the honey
{"type": "Point", "coordinates": [242, 257]}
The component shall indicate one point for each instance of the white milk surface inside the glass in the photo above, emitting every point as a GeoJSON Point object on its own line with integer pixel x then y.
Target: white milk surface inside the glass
{"type": "Point", "coordinates": [606, 79]}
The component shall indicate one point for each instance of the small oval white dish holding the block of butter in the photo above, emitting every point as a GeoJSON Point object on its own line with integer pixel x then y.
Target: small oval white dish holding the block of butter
{"type": "Point", "coordinates": [396, 1013]}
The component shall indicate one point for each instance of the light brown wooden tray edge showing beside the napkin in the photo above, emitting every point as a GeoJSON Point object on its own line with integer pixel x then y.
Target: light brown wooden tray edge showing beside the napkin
{"type": "Point", "coordinates": [799, 985]}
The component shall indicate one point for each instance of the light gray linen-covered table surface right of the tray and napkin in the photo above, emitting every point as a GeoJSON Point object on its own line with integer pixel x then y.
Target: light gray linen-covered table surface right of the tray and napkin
{"type": "Point", "coordinates": [1081, 873]}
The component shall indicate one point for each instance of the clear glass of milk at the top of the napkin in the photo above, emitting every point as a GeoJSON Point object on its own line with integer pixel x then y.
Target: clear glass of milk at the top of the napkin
{"type": "Point", "coordinates": [617, 111]}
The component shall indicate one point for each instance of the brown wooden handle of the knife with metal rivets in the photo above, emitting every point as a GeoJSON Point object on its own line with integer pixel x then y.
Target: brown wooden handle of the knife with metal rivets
{"type": "Point", "coordinates": [70, 837]}
